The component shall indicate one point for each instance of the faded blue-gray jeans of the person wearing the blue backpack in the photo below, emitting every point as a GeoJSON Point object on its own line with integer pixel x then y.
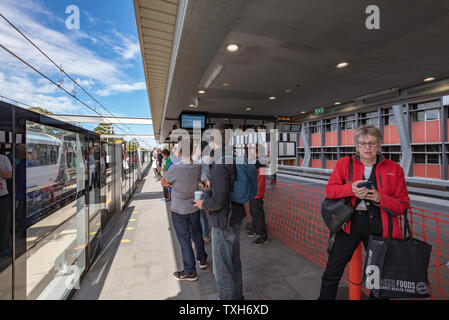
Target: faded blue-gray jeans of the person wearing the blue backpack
{"type": "Point", "coordinates": [227, 266]}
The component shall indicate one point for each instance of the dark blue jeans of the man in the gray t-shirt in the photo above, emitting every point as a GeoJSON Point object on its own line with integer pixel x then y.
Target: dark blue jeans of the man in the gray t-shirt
{"type": "Point", "coordinates": [188, 228]}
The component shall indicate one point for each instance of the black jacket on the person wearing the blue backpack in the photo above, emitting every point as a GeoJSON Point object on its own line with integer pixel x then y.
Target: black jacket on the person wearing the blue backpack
{"type": "Point", "coordinates": [223, 213]}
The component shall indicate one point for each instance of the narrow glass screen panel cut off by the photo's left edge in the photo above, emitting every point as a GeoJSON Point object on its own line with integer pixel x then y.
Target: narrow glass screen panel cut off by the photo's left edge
{"type": "Point", "coordinates": [6, 200]}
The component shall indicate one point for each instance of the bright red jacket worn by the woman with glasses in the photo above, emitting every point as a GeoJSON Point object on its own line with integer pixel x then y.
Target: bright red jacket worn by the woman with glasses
{"type": "Point", "coordinates": [391, 187]}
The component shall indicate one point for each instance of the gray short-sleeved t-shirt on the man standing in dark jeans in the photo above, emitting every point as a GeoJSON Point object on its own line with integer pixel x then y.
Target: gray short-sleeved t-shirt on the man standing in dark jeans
{"type": "Point", "coordinates": [185, 179]}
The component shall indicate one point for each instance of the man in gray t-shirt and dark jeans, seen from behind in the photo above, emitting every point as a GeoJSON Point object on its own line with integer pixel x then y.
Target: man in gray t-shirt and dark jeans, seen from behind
{"type": "Point", "coordinates": [184, 177]}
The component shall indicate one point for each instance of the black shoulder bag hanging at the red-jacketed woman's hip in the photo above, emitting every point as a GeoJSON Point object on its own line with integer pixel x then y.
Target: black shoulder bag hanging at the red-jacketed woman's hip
{"type": "Point", "coordinates": [336, 212]}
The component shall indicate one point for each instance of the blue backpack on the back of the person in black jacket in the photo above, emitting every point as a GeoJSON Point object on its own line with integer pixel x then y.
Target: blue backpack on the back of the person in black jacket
{"type": "Point", "coordinates": [245, 183]}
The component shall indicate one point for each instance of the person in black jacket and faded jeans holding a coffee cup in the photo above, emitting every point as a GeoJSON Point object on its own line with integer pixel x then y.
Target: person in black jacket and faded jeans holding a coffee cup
{"type": "Point", "coordinates": [225, 217]}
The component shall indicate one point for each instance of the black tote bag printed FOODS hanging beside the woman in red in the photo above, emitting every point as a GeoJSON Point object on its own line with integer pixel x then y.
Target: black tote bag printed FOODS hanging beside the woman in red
{"type": "Point", "coordinates": [397, 268]}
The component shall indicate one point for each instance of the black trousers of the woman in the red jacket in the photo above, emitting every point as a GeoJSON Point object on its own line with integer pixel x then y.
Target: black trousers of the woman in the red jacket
{"type": "Point", "coordinates": [341, 254]}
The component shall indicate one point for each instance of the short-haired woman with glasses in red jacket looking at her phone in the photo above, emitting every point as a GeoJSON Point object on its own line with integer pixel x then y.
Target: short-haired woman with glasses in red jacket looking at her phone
{"type": "Point", "coordinates": [388, 190]}
